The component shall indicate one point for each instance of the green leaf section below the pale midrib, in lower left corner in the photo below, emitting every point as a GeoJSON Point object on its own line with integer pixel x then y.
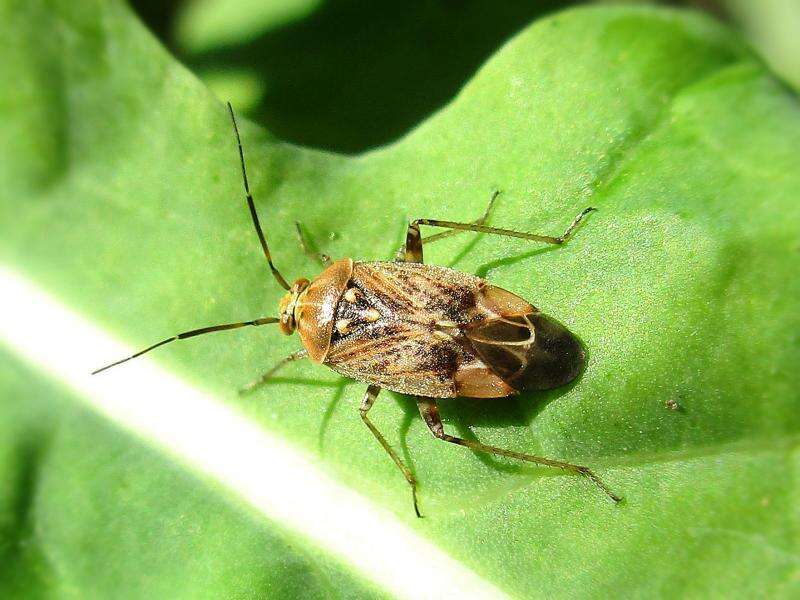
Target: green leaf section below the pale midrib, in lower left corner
{"type": "Point", "coordinates": [88, 511]}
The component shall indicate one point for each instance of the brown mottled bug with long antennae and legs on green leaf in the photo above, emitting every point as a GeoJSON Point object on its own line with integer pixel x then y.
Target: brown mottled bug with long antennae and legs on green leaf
{"type": "Point", "coordinates": [423, 330]}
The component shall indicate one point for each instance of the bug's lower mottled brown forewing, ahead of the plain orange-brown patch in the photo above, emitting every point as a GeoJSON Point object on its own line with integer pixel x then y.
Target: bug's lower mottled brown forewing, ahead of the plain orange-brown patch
{"type": "Point", "coordinates": [399, 356]}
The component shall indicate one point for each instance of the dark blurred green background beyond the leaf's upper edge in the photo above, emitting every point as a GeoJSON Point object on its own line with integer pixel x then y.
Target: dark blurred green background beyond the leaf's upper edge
{"type": "Point", "coordinates": [349, 75]}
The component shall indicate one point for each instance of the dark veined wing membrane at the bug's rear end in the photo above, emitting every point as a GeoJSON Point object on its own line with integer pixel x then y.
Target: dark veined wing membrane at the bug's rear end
{"type": "Point", "coordinates": [530, 352]}
